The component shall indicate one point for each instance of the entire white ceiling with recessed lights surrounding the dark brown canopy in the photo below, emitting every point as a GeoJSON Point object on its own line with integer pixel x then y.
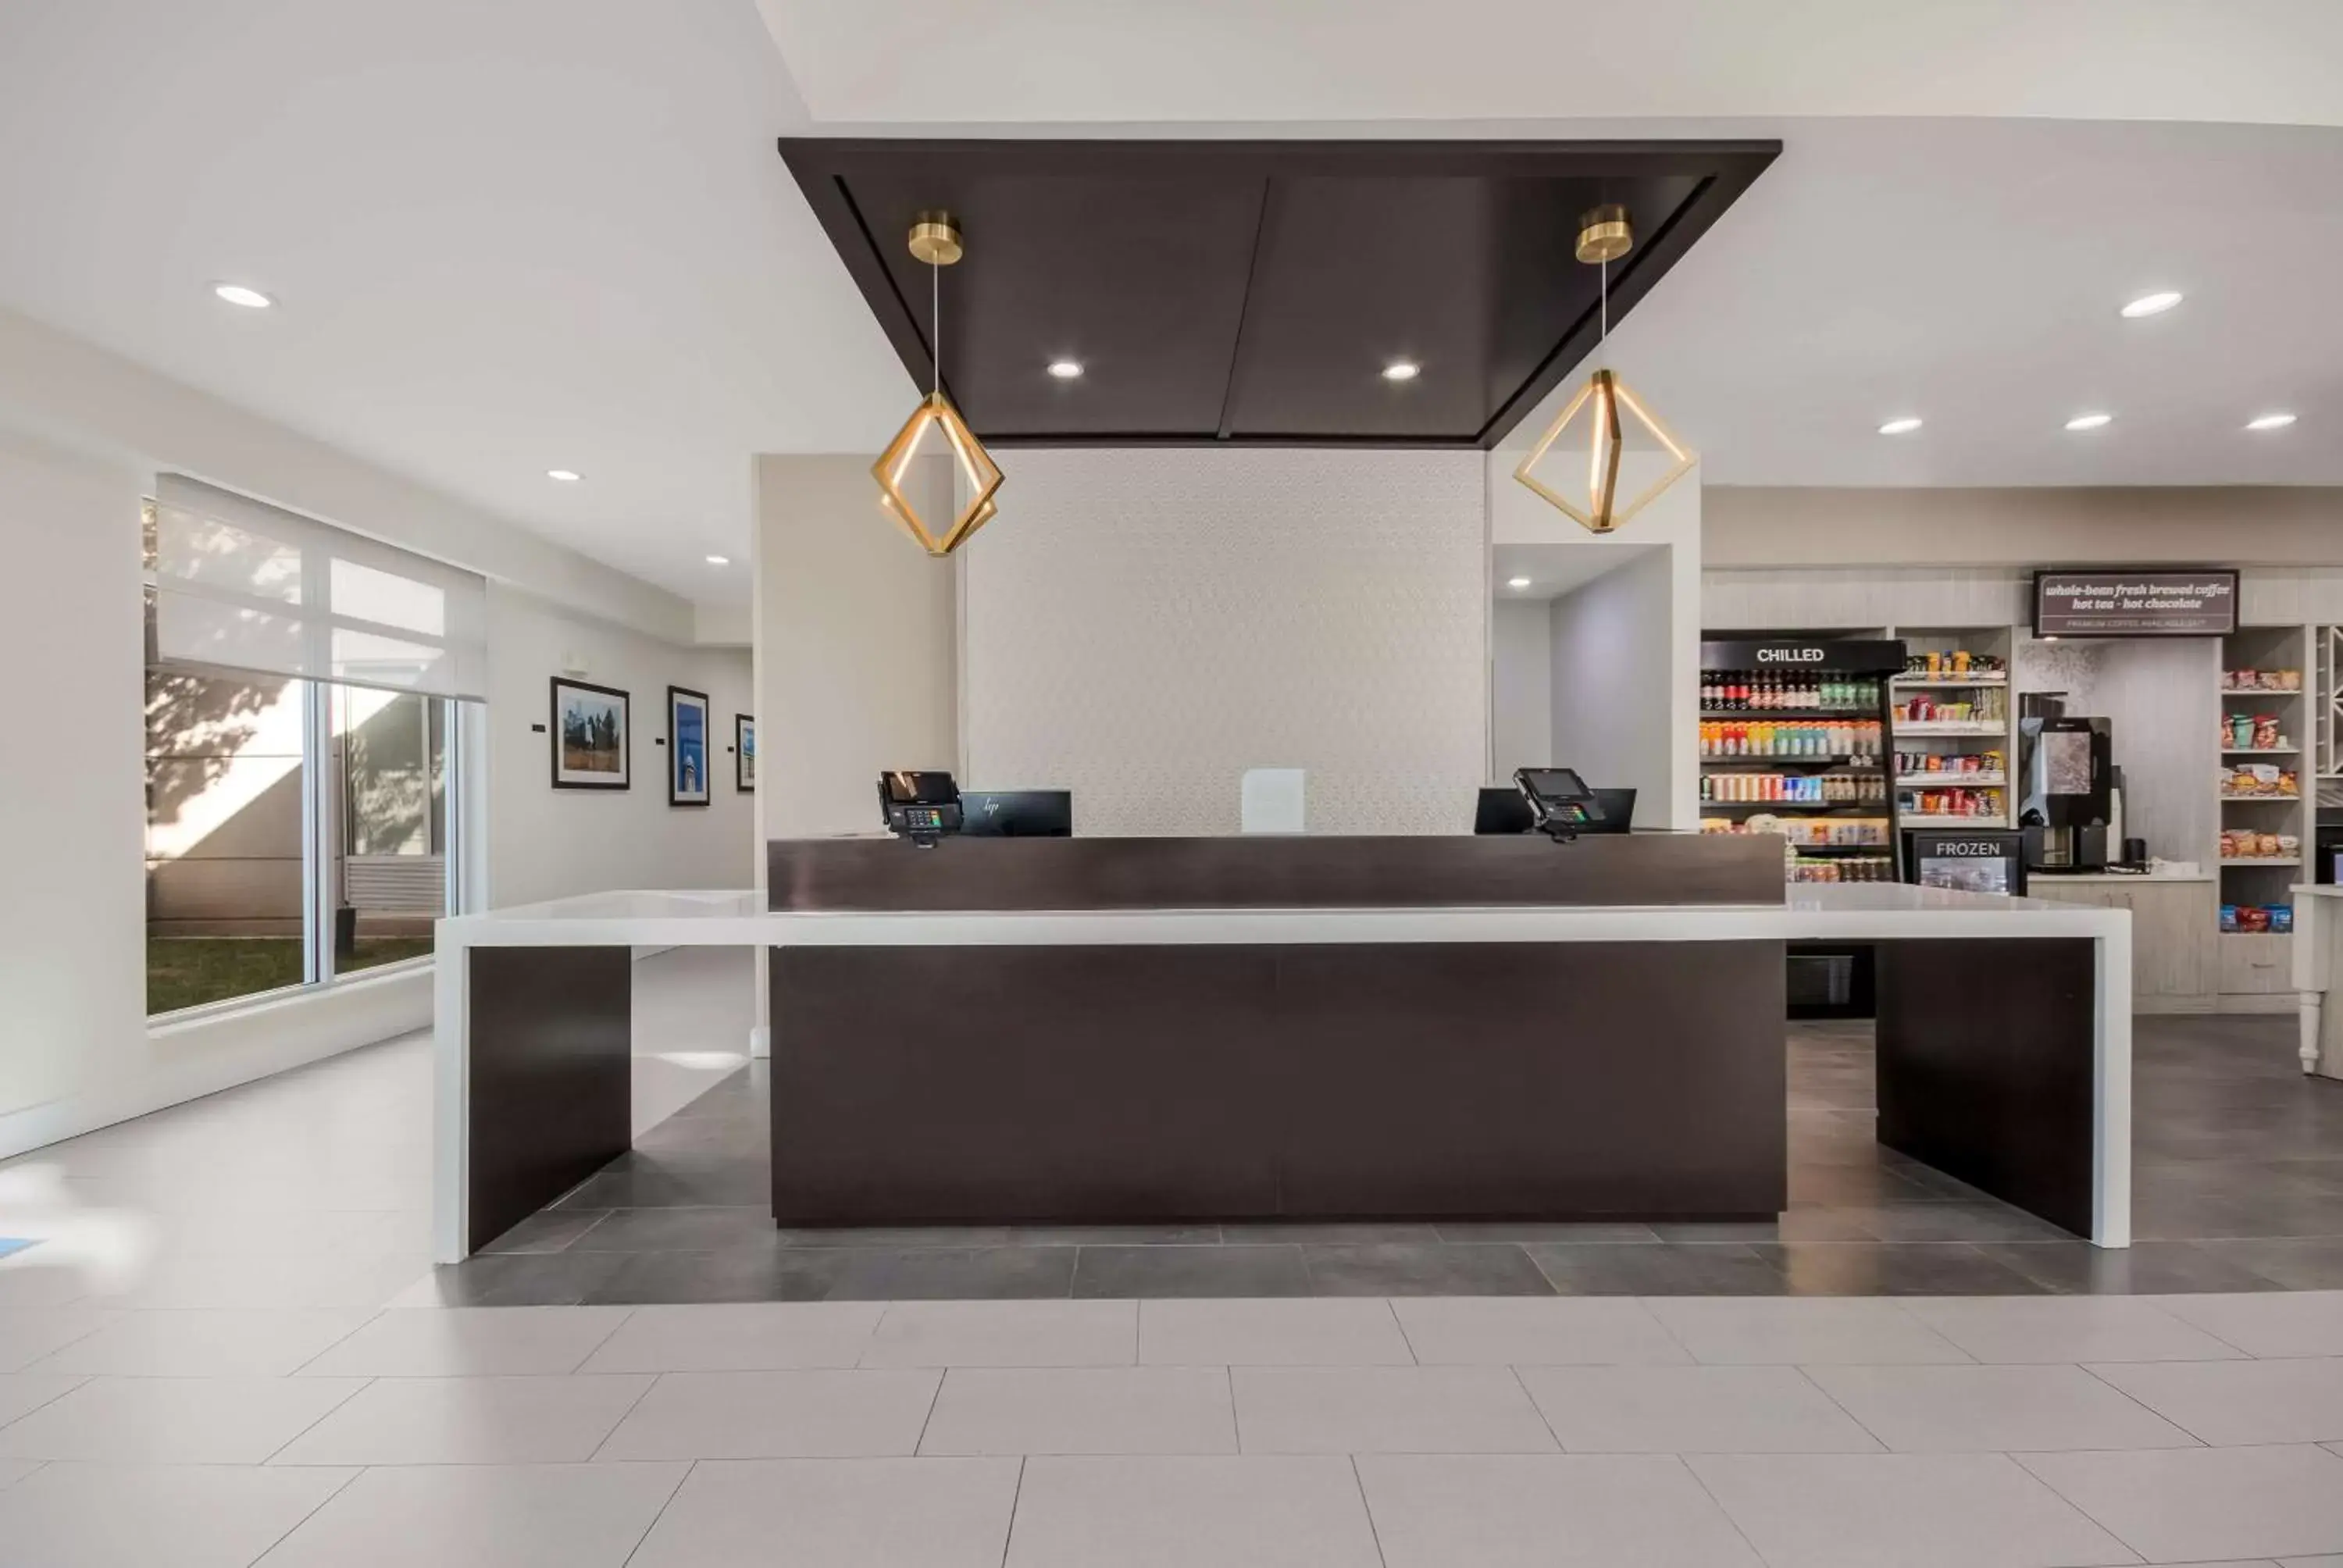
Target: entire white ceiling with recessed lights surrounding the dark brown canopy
{"type": "Point", "coordinates": [554, 233]}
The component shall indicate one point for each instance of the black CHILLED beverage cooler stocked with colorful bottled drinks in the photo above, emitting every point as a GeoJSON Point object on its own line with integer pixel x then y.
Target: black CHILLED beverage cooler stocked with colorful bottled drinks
{"type": "Point", "coordinates": [1798, 739]}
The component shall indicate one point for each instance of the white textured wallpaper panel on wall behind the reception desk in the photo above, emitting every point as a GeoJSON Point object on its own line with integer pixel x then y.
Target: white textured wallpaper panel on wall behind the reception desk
{"type": "Point", "coordinates": [1147, 625]}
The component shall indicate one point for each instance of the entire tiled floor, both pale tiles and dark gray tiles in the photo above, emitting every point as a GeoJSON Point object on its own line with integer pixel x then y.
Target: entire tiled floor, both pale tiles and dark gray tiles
{"type": "Point", "coordinates": [247, 1363]}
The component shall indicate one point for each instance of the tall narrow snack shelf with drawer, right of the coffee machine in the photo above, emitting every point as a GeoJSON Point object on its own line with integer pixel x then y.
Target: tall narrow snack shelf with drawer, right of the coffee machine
{"type": "Point", "coordinates": [2269, 793]}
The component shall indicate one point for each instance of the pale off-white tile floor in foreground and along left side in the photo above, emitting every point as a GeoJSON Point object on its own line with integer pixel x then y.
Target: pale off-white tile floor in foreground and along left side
{"type": "Point", "coordinates": [252, 1398]}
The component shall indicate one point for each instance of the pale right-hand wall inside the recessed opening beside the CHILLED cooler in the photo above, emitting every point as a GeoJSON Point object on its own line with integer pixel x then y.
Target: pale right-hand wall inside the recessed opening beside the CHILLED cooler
{"type": "Point", "coordinates": [1608, 639]}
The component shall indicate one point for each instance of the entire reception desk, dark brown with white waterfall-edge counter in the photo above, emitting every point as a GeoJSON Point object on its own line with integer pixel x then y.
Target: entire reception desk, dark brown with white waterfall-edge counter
{"type": "Point", "coordinates": [1159, 1030]}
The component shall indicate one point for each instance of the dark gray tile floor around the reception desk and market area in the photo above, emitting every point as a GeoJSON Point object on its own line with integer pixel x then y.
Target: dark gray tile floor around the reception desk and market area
{"type": "Point", "coordinates": [2239, 1189]}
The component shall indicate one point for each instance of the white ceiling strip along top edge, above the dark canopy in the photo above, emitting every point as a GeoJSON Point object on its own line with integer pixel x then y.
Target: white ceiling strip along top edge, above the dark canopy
{"type": "Point", "coordinates": [1391, 62]}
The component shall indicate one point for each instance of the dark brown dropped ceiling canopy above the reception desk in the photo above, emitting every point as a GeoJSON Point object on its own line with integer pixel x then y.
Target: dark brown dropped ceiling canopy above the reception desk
{"type": "Point", "coordinates": [1255, 292]}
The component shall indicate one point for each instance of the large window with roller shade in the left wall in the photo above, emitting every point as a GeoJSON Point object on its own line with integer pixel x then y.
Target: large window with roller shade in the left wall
{"type": "Point", "coordinates": [296, 829]}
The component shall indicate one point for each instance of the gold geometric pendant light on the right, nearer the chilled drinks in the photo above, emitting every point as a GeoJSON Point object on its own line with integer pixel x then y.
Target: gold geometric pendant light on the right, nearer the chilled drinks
{"type": "Point", "coordinates": [1618, 458]}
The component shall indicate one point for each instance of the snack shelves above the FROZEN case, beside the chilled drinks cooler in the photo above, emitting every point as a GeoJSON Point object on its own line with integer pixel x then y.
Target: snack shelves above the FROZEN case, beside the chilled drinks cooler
{"type": "Point", "coordinates": [1955, 728]}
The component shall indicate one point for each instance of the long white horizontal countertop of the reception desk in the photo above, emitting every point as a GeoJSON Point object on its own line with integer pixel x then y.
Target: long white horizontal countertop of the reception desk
{"type": "Point", "coordinates": [1847, 913]}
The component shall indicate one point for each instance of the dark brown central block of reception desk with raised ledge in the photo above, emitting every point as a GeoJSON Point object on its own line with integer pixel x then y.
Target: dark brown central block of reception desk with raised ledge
{"type": "Point", "coordinates": [1302, 1030]}
